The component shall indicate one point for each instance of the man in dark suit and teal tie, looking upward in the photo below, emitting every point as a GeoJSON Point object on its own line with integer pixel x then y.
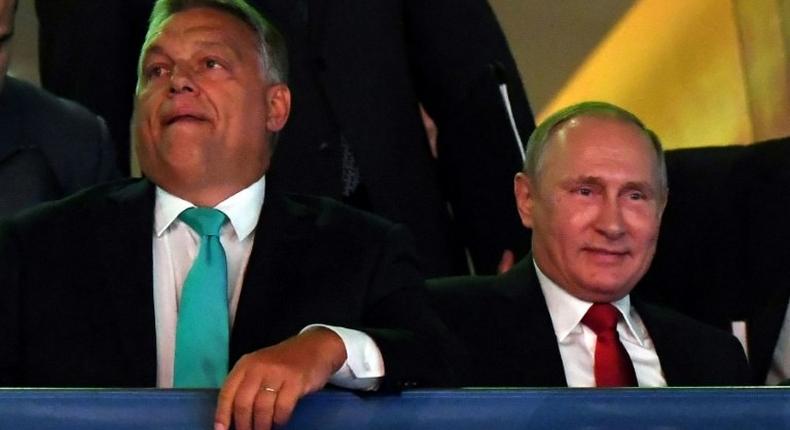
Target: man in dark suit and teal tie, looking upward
{"type": "Point", "coordinates": [81, 310]}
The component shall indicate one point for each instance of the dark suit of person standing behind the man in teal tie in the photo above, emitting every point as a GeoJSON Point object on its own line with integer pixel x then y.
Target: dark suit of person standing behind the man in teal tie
{"type": "Point", "coordinates": [359, 69]}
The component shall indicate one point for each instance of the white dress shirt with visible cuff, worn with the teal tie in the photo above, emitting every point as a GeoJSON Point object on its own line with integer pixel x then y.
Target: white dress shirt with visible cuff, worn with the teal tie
{"type": "Point", "coordinates": [175, 246]}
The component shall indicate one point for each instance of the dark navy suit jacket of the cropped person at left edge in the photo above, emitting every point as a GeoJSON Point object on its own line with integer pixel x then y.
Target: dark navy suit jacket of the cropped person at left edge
{"type": "Point", "coordinates": [50, 147]}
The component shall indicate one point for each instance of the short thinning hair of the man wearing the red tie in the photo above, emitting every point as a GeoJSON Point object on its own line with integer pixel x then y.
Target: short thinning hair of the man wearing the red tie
{"type": "Point", "coordinates": [536, 146]}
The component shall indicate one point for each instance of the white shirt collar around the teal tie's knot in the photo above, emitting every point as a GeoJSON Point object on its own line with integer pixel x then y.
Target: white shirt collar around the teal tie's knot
{"type": "Point", "coordinates": [243, 209]}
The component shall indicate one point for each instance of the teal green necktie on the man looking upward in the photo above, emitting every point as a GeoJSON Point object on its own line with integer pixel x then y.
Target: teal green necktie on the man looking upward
{"type": "Point", "coordinates": [201, 358]}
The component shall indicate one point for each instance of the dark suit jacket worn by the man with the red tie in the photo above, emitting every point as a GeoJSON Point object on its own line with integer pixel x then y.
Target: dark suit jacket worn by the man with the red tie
{"type": "Point", "coordinates": [507, 329]}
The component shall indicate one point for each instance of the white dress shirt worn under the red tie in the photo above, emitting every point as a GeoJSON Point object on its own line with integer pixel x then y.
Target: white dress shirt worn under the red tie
{"type": "Point", "coordinates": [577, 341]}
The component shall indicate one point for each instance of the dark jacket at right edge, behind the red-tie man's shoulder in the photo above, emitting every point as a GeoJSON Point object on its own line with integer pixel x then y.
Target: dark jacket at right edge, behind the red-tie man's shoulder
{"type": "Point", "coordinates": [722, 253]}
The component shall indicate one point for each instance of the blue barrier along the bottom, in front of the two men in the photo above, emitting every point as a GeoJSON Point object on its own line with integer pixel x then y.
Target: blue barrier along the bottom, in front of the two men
{"type": "Point", "coordinates": [668, 408]}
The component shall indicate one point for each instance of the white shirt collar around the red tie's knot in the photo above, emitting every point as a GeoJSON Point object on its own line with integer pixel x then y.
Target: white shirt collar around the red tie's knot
{"type": "Point", "coordinates": [567, 311]}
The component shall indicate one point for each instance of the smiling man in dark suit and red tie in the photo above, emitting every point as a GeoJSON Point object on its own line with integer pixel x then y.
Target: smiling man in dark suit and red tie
{"type": "Point", "coordinates": [593, 191]}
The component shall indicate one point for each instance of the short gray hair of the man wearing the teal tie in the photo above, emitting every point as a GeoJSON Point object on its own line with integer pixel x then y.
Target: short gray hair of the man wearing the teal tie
{"type": "Point", "coordinates": [273, 53]}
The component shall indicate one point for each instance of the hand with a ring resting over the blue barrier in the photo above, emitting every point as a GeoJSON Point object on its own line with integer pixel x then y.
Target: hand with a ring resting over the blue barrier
{"type": "Point", "coordinates": [264, 386]}
